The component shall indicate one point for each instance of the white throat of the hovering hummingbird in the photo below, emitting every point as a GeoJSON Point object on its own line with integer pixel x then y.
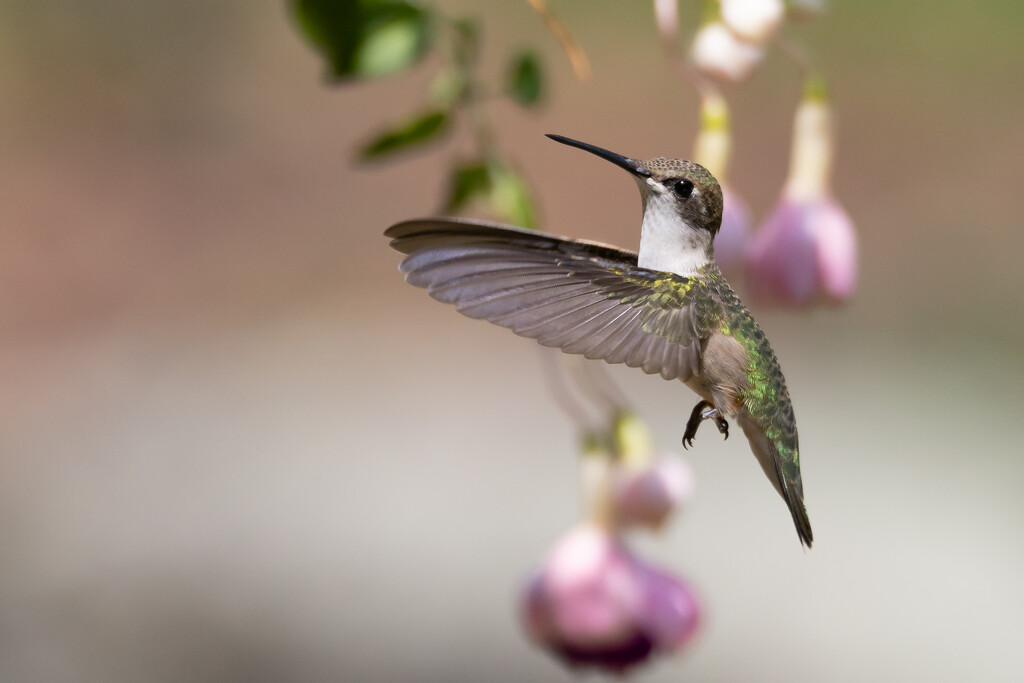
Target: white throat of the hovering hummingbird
{"type": "Point", "coordinates": [667, 241]}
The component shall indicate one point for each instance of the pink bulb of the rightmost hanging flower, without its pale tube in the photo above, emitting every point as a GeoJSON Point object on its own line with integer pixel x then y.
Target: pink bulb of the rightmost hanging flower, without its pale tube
{"type": "Point", "coordinates": [805, 253]}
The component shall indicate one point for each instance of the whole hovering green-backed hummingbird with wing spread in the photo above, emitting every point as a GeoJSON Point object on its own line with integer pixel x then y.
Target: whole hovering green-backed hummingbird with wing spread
{"type": "Point", "coordinates": [666, 310]}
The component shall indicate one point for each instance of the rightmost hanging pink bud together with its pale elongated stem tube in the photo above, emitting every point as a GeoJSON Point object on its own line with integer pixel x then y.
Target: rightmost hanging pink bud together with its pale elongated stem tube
{"type": "Point", "coordinates": [806, 252]}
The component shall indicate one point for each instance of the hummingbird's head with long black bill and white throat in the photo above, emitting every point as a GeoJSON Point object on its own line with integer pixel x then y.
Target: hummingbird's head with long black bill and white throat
{"type": "Point", "coordinates": [682, 207]}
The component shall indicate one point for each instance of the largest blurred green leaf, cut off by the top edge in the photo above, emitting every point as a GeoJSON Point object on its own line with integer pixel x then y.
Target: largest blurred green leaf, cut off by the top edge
{"type": "Point", "coordinates": [365, 38]}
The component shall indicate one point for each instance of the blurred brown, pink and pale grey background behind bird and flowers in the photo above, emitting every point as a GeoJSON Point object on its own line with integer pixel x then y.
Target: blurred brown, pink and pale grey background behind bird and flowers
{"type": "Point", "coordinates": [235, 446]}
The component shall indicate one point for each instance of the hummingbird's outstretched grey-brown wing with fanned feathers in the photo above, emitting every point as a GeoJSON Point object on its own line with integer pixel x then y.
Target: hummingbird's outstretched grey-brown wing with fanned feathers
{"type": "Point", "coordinates": [581, 297]}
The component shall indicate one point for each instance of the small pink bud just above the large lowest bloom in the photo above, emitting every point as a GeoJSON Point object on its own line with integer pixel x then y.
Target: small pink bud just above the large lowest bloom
{"type": "Point", "coordinates": [647, 497]}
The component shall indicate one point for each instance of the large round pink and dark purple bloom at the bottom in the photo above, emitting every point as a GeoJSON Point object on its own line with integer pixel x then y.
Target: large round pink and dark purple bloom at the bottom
{"type": "Point", "coordinates": [595, 605]}
